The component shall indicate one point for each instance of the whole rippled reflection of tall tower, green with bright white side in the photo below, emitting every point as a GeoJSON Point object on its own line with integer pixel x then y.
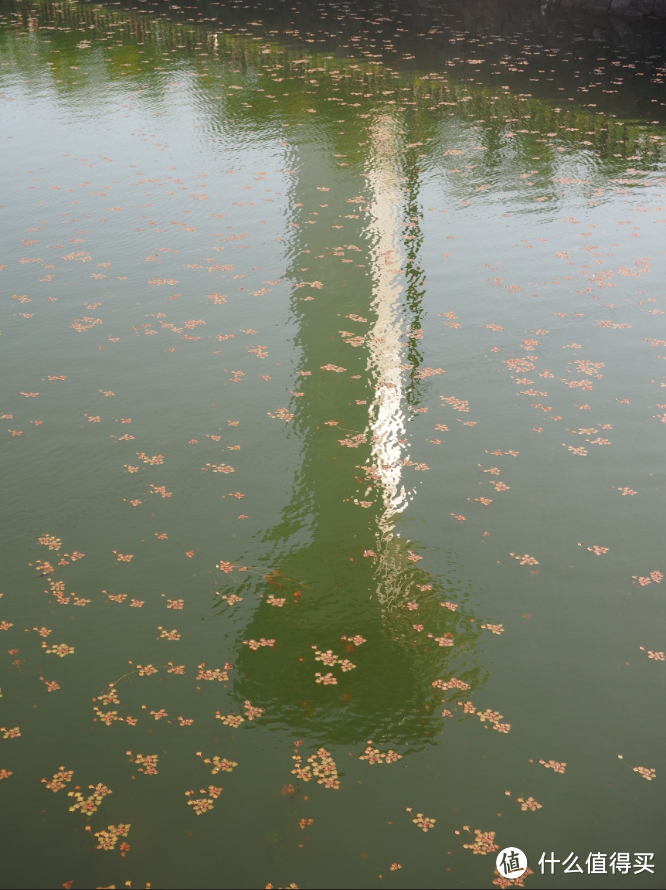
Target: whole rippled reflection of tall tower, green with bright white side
{"type": "Point", "coordinates": [345, 498]}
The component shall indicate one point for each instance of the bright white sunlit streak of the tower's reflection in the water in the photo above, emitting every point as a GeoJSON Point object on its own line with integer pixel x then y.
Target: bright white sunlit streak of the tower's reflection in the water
{"type": "Point", "coordinates": [386, 416]}
